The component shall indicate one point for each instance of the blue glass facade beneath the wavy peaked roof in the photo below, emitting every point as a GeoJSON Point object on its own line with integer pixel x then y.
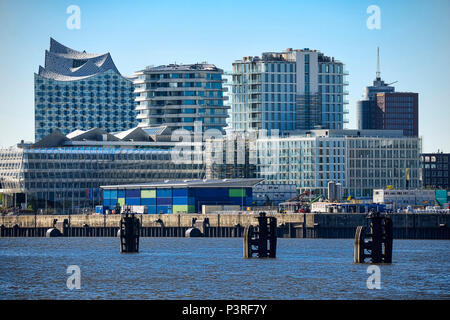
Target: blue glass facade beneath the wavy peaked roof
{"type": "Point", "coordinates": [103, 101]}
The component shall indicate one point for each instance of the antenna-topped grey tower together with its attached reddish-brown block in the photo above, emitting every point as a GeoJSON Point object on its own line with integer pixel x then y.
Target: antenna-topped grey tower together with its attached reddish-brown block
{"type": "Point", "coordinates": [383, 108]}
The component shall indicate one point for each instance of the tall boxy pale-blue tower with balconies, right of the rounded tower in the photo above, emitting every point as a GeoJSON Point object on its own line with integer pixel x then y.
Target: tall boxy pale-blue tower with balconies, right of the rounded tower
{"type": "Point", "coordinates": [291, 90]}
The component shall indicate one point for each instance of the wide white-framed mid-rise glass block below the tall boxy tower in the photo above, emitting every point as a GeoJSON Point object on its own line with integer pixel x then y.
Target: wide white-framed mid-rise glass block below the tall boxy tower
{"type": "Point", "coordinates": [359, 160]}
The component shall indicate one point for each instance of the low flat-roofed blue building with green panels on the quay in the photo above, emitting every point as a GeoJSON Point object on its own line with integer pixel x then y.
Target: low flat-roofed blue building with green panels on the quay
{"type": "Point", "coordinates": [186, 196]}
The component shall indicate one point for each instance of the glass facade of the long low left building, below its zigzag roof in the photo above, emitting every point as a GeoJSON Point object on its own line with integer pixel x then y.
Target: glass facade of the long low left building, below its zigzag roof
{"type": "Point", "coordinates": [62, 178]}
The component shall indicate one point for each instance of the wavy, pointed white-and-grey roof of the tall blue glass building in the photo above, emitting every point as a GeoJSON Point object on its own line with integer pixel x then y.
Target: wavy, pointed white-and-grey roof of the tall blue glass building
{"type": "Point", "coordinates": [66, 64]}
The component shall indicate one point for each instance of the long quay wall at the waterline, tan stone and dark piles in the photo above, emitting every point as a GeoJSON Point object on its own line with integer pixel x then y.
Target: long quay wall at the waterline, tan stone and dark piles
{"type": "Point", "coordinates": [310, 225]}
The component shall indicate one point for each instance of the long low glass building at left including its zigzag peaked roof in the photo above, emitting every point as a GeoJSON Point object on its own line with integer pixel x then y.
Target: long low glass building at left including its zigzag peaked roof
{"type": "Point", "coordinates": [63, 173]}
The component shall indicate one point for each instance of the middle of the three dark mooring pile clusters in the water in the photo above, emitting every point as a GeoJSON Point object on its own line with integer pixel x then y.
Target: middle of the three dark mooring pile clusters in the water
{"type": "Point", "coordinates": [261, 241]}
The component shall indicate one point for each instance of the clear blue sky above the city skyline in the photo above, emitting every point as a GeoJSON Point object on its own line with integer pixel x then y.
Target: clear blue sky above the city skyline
{"type": "Point", "coordinates": [414, 41]}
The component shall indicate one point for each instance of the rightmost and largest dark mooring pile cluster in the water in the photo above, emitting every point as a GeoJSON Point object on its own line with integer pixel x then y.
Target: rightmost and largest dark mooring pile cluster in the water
{"type": "Point", "coordinates": [375, 242]}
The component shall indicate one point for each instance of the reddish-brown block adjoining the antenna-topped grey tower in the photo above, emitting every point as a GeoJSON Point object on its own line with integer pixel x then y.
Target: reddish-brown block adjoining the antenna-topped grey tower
{"type": "Point", "coordinates": [399, 111]}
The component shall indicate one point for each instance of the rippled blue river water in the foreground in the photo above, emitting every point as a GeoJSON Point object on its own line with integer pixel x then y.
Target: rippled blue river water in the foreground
{"type": "Point", "coordinates": [213, 268]}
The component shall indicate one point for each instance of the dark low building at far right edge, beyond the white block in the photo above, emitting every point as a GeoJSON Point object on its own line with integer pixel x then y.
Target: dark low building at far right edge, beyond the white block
{"type": "Point", "coordinates": [436, 170]}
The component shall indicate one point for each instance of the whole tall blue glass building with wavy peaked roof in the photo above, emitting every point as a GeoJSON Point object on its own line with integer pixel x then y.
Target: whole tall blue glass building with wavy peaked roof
{"type": "Point", "coordinates": [79, 90]}
